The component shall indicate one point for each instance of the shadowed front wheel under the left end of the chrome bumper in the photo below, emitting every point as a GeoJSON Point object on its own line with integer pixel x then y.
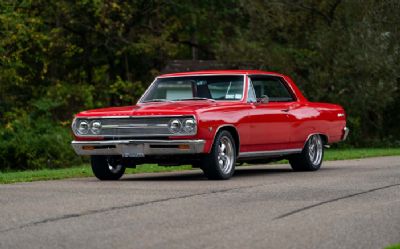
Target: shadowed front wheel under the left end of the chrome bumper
{"type": "Point", "coordinates": [107, 168]}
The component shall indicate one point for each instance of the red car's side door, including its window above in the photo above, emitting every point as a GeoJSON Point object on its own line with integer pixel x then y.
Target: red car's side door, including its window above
{"type": "Point", "coordinates": [270, 122]}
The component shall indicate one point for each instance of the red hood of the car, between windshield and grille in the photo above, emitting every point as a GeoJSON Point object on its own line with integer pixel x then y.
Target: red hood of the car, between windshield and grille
{"type": "Point", "coordinates": [149, 109]}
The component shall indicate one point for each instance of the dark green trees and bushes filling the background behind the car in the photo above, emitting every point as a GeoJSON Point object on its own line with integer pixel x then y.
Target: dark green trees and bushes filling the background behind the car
{"type": "Point", "coordinates": [60, 57]}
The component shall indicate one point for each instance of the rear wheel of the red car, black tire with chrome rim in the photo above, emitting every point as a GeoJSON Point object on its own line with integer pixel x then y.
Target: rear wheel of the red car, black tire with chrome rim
{"type": "Point", "coordinates": [310, 159]}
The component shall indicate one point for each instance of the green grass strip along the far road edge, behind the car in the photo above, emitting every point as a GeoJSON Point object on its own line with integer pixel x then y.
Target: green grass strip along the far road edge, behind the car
{"type": "Point", "coordinates": [85, 171]}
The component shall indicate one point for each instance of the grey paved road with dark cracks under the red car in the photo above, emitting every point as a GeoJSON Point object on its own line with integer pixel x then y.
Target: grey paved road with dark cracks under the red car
{"type": "Point", "coordinates": [347, 204]}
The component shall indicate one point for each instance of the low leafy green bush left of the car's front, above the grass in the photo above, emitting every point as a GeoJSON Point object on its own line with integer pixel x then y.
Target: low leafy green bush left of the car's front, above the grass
{"type": "Point", "coordinates": [28, 144]}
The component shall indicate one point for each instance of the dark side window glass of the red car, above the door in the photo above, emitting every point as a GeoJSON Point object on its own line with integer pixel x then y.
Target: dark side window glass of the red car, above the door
{"type": "Point", "coordinates": [273, 87]}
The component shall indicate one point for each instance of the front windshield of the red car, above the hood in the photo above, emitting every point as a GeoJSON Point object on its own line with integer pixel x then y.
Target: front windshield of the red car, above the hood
{"type": "Point", "coordinates": [196, 88]}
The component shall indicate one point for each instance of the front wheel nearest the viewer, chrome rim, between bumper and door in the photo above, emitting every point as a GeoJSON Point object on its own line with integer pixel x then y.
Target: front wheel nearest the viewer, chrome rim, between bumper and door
{"type": "Point", "coordinates": [220, 165]}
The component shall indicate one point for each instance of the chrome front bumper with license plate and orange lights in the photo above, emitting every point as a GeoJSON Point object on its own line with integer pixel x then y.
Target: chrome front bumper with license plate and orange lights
{"type": "Point", "coordinates": [138, 148]}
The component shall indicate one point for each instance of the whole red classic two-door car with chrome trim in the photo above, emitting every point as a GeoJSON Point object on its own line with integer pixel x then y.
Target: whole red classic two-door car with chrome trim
{"type": "Point", "coordinates": [213, 120]}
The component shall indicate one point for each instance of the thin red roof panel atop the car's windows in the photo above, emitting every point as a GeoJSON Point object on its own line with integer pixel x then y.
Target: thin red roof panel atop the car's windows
{"type": "Point", "coordinates": [220, 72]}
